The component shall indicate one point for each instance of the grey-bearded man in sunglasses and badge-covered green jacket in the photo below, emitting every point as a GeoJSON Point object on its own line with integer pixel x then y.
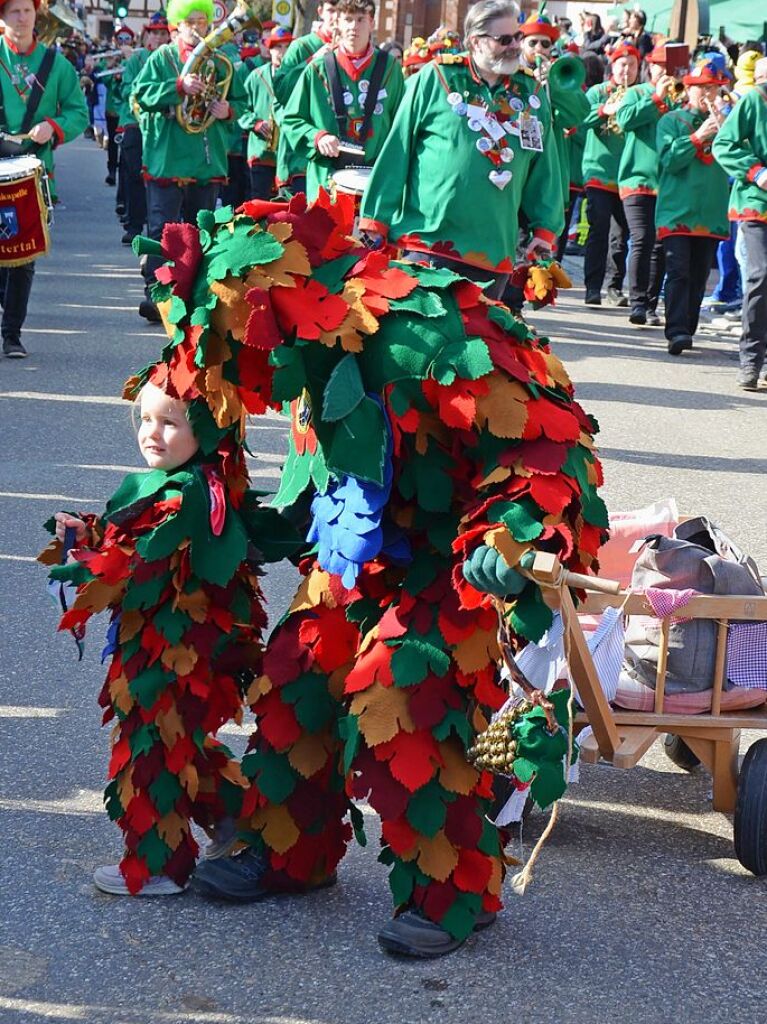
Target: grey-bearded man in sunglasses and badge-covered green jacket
{"type": "Point", "coordinates": [472, 147]}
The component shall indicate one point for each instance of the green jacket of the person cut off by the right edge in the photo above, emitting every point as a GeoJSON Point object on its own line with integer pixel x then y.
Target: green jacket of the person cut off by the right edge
{"type": "Point", "coordinates": [741, 147]}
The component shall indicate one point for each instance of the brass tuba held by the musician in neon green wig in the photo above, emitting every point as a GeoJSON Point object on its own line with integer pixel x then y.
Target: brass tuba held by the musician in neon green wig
{"type": "Point", "coordinates": [193, 113]}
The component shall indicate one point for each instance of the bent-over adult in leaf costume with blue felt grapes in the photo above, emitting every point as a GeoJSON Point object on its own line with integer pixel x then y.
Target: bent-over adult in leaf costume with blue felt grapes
{"type": "Point", "coordinates": [435, 442]}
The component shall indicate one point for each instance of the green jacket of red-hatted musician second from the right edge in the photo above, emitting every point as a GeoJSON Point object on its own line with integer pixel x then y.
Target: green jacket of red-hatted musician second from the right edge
{"type": "Point", "coordinates": [693, 188]}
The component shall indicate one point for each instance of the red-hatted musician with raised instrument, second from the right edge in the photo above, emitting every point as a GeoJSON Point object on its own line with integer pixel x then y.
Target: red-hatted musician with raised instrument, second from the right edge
{"type": "Point", "coordinates": [692, 210]}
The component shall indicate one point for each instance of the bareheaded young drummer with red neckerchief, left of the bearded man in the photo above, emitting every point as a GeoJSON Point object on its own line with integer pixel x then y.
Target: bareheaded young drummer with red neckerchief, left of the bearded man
{"type": "Point", "coordinates": [349, 95]}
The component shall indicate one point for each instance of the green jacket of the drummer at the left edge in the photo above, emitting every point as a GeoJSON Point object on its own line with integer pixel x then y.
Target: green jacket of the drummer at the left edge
{"type": "Point", "coordinates": [62, 104]}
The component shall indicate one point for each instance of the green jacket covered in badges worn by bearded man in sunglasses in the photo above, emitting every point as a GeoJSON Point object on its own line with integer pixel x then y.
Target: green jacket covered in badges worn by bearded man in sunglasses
{"type": "Point", "coordinates": [432, 190]}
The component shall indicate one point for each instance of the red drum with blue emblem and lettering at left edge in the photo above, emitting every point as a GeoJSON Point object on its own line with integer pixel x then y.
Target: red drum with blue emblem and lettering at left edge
{"type": "Point", "coordinates": [25, 211]}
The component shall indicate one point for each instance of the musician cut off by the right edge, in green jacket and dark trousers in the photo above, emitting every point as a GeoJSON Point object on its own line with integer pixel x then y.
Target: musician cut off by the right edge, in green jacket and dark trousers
{"type": "Point", "coordinates": [741, 147]}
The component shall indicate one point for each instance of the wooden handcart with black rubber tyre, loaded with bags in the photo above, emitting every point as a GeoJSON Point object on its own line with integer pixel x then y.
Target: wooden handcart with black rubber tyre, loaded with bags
{"type": "Point", "coordinates": [622, 738]}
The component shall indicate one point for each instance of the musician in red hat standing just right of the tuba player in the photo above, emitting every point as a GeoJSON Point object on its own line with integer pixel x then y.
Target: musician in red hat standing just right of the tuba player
{"type": "Point", "coordinates": [264, 117]}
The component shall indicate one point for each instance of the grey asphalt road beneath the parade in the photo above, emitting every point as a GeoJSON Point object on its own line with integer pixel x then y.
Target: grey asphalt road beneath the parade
{"type": "Point", "coordinates": [640, 912]}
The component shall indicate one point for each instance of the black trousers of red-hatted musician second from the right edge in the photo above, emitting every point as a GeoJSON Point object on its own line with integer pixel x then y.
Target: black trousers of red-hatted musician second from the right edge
{"type": "Point", "coordinates": [689, 261]}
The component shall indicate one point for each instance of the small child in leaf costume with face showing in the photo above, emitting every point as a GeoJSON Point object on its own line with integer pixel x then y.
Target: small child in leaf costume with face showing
{"type": "Point", "coordinates": [176, 559]}
